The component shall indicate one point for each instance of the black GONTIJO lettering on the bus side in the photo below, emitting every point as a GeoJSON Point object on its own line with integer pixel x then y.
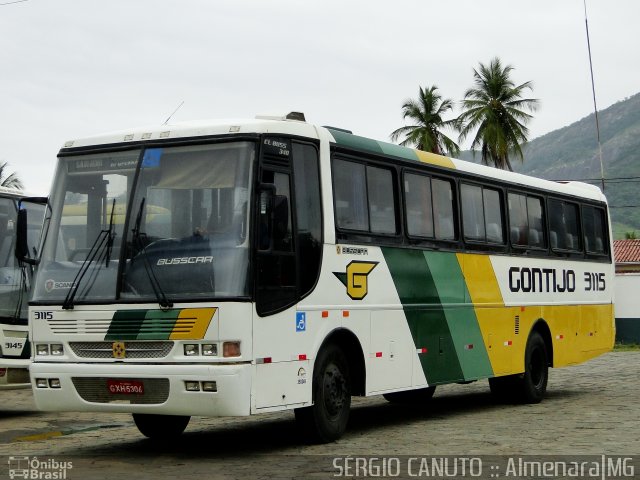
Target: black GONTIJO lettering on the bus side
{"type": "Point", "coordinates": [541, 280]}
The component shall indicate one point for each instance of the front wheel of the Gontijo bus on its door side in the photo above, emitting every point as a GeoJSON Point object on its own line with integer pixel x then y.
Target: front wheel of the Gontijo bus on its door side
{"type": "Point", "coordinates": [326, 420]}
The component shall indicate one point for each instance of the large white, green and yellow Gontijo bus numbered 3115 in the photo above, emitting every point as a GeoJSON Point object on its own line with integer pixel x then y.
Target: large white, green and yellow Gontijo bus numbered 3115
{"type": "Point", "coordinates": [262, 265]}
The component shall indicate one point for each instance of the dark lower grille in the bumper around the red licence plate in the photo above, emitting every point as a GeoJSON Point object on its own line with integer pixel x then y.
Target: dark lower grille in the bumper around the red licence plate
{"type": "Point", "coordinates": [96, 390]}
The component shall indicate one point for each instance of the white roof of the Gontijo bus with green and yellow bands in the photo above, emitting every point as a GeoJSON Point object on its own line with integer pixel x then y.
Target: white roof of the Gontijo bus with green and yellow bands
{"type": "Point", "coordinates": [280, 124]}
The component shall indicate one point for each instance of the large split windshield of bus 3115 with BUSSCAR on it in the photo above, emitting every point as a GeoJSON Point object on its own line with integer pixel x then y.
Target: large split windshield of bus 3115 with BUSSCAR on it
{"type": "Point", "coordinates": [149, 225]}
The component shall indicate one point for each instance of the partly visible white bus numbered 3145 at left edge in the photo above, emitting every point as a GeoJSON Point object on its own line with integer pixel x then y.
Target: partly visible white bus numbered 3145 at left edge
{"type": "Point", "coordinates": [15, 284]}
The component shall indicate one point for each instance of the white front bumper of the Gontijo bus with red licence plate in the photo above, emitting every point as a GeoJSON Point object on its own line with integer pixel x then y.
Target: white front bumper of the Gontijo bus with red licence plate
{"type": "Point", "coordinates": [204, 390]}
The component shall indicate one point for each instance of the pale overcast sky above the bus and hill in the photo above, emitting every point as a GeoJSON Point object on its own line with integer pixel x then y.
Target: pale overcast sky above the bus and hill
{"type": "Point", "coordinates": [71, 68]}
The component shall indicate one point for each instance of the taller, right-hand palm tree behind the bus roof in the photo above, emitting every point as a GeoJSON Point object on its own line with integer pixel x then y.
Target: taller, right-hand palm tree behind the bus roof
{"type": "Point", "coordinates": [495, 108]}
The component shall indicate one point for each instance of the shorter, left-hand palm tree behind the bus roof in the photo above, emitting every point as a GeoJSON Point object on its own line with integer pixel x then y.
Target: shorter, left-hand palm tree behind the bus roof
{"type": "Point", "coordinates": [425, 134]}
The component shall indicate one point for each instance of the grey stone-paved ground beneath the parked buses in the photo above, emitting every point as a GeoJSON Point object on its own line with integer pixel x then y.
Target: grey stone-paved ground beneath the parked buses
{"type": "Point", "coordinates": [591, 409]}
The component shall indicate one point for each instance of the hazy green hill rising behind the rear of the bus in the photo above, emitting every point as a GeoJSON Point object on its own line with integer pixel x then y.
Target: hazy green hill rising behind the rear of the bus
{"type": "Point", "coordinates": [571, 153]}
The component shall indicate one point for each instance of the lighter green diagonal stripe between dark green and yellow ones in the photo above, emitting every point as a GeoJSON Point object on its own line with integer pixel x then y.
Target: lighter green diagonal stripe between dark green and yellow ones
{"type": "Point", "coordinates": [461, 318]}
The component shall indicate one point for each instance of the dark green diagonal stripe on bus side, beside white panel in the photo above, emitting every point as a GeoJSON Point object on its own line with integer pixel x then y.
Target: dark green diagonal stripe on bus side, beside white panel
{"type": "Point", "coordinates": [425, 315]}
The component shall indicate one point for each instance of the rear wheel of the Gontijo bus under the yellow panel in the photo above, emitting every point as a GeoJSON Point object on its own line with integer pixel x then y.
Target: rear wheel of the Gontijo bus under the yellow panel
{"type": "Point", "coordinates": [533, 383]}
